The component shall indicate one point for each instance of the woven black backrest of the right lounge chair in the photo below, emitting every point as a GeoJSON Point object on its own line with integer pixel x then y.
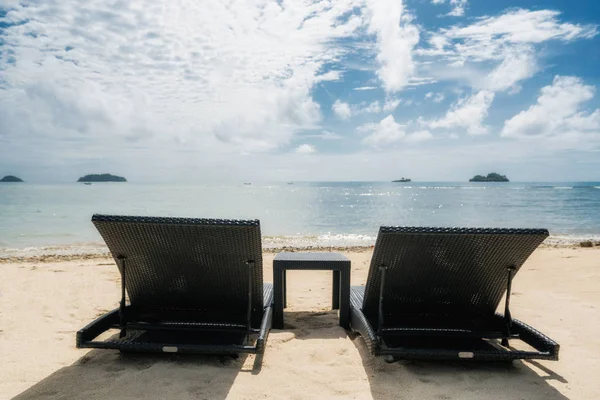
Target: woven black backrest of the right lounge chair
{"type": "Point", "coordinates": [445, 271]}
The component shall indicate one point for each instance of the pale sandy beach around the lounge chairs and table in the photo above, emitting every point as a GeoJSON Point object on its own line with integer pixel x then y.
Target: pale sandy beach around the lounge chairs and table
{"type": "Point", "coordinates": [43, 304]}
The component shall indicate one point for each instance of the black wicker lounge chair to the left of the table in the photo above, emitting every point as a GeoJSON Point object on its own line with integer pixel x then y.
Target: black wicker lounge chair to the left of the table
{"type": "Point", "coordinates": [194, 286]}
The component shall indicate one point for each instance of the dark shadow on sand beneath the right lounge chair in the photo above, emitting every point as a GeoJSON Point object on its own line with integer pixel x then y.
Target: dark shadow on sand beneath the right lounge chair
{"type": "Point", "coordinates": [457, 380]}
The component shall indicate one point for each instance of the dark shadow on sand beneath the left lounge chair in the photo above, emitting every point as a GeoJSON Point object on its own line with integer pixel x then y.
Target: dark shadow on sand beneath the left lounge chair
{"type": "Point", "coordinates": [108, 374]}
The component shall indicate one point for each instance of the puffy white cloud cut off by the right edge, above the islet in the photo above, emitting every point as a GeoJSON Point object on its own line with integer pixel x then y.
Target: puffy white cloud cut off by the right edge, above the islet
{"type": "Point", "coordinates": [557, 113]}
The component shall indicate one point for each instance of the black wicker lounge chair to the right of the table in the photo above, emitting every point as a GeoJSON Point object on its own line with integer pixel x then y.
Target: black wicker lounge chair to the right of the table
{"type": "Point", "coordinates": [432, 293]}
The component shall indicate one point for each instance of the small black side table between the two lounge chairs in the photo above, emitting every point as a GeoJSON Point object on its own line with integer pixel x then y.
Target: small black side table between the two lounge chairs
{"type": "Point", "coordinates": [335, 262]}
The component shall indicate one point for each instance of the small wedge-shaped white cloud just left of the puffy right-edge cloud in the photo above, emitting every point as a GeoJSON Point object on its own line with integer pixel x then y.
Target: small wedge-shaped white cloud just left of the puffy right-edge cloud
{"type": "Point", "coordinates": [468, 113]}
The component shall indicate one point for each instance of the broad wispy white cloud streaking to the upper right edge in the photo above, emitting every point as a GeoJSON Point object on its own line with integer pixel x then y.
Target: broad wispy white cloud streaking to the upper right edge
{"type": "Point", "coordinates": [508, 42]}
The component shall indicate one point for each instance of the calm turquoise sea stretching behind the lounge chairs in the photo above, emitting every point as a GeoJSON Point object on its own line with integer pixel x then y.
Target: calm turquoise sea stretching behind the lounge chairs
{"type": "Point", "coordinates": [56, 218]}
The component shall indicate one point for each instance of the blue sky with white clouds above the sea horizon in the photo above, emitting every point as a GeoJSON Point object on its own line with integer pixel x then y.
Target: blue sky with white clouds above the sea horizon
{"type": "Point", "coordinates": [357, 90]}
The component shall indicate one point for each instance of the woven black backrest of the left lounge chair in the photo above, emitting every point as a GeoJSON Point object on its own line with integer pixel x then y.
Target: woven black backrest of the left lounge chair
{"type": "Point", "coordinates": [184, 264]}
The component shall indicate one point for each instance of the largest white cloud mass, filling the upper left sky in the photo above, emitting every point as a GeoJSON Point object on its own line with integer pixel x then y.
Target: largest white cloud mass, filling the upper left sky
{"type": "Point", "coordinates": [162, 74]}
